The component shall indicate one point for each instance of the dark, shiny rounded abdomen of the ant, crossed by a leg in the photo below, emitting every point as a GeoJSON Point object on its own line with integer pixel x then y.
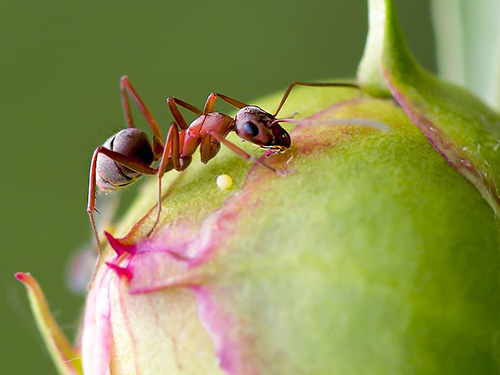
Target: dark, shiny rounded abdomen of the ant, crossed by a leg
{"type": "Point", "coordinates": [131, 142]}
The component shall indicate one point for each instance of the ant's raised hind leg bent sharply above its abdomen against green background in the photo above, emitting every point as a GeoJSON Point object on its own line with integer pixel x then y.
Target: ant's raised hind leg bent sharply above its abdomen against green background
{"type": "Point", "coordinates": [127, 89]}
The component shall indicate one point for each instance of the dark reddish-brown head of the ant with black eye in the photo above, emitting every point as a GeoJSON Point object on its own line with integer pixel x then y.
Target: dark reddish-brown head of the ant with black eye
{"type": "Point", "coordinates": [255, 125]}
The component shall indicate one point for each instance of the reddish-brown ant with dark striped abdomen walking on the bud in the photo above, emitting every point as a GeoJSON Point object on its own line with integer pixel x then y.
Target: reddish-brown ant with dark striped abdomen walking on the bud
{"type": "Point", "coordinates": [128, 154]}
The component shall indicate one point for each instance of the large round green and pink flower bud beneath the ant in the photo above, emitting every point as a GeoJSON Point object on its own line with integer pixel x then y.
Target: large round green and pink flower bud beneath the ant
{"type": "Point", "coordinates": [376, 253]}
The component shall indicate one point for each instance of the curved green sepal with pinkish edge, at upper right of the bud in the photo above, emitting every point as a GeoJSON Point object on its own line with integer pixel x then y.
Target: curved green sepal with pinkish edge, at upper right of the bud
{"type": "Point", "coordinates": [465, 131]}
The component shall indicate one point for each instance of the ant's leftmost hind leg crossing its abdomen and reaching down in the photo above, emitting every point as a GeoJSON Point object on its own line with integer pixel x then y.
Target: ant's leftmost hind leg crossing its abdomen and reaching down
{"type": "Point", "coordinates": [119, 158]}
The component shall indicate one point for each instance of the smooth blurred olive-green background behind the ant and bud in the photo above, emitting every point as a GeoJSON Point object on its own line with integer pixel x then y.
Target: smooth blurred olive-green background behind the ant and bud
{"type": "Point", "coordinates": [59, 72]}
